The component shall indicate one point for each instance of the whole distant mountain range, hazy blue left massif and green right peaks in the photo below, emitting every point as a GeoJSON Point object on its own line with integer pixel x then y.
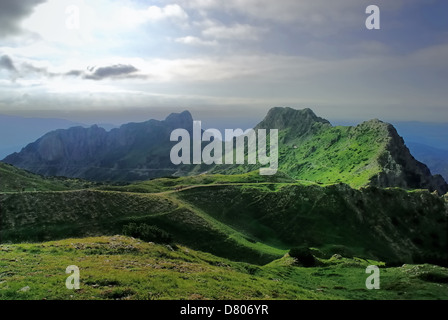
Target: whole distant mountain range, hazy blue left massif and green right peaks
{"type": "Point", "coordinates": [310, 148]}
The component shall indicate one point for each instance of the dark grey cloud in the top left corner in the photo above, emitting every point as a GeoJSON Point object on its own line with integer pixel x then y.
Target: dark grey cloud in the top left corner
{"type": "Point", "coordinates": [12, 12]}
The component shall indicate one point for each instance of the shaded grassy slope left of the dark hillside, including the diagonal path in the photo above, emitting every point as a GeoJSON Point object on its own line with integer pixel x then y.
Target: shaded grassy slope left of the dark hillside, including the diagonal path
{"type": "Point", "coordinates": [40, 216]}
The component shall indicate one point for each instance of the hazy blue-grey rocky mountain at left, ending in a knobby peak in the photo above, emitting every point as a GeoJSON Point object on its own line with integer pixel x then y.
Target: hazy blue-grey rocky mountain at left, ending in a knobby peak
{"type": "Point", "coordinates": [135, 151]}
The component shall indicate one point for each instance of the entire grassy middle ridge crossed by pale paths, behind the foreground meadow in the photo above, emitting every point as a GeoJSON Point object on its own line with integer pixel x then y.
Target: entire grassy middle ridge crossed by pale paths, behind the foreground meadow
{"type": "Point", "coordinates": [249, 221]}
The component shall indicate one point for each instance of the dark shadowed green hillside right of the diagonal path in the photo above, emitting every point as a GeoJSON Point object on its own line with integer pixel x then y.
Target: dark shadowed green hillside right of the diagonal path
{"type": "Point", "coordinates": [390, 224]}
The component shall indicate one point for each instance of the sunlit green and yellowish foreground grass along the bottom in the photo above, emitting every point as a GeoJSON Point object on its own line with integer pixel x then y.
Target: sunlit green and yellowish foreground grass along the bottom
{"type": "Point", "coordinates": [125, 268]}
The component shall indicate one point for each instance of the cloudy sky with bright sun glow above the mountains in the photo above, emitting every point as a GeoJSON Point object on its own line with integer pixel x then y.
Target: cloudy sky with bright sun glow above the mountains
{"type": "Point", "coordinates": [111, 61]}
